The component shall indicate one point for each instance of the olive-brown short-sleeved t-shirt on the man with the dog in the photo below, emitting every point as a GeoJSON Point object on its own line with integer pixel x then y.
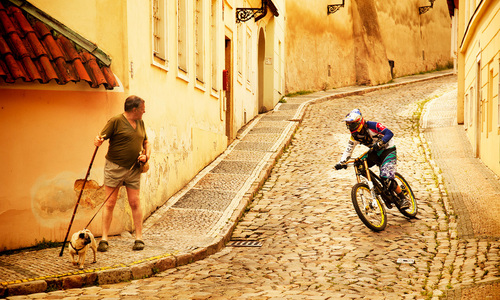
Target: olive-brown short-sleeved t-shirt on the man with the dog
{"type": "Point", "coordinates": [125, 142]}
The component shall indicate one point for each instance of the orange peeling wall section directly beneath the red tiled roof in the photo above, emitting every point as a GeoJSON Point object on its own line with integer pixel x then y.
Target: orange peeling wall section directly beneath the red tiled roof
{"type": "Point", "coordinates": [48, 134]}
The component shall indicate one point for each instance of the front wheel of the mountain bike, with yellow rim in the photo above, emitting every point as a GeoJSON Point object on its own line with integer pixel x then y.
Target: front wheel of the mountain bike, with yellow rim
{"type": "Point", "coordinates": [370, 211]}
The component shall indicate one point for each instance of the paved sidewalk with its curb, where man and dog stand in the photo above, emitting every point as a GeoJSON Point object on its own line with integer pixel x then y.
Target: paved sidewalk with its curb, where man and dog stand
{"type": "Point", "coordinates": [194, 223]}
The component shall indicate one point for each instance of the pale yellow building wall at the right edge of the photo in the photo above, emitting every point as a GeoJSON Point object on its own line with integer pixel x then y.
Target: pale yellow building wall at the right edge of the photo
{"type": "Point", "coordinates": [479, 60]}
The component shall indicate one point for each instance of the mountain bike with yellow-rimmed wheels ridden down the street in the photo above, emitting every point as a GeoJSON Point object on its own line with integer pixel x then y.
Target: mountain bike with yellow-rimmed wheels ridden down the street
{"type": "Point", "coordinates": [370, 195]}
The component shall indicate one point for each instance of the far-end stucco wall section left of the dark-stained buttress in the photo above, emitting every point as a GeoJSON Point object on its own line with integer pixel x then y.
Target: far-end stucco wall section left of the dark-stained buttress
{"type": "Point", "coordinates": [319, 49]}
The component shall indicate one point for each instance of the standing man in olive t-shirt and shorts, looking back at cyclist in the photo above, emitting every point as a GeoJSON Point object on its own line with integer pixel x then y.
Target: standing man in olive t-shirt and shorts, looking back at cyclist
{"type": "Point", "coordinates": [127, 140]}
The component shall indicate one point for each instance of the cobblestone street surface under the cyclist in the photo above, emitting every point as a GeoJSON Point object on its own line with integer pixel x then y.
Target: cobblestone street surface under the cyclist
{"type": "Point", "coordinates": [314, 246]}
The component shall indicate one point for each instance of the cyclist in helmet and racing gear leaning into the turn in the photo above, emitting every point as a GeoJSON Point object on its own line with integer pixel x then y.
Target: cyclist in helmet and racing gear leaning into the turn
{"type": "Point", "coordinates": [379, 138]}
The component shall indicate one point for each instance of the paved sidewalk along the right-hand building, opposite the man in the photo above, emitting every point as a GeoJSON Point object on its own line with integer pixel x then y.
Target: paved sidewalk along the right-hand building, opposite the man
{"type": "Point", "coordinates": [472, 188]}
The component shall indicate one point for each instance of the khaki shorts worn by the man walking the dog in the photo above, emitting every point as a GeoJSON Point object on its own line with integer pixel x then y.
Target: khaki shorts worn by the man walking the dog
{"type": "Point", "coordinates": [114, 174]}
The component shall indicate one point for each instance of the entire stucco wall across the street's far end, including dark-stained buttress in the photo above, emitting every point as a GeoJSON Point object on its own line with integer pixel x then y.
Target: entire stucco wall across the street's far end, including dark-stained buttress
{"type": "Point", "coordinates": [353, 45]}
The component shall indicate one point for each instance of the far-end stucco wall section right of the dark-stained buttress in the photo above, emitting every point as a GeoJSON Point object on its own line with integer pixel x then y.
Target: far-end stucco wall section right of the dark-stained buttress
{"type": "Point", "coordinates": [415, 42]}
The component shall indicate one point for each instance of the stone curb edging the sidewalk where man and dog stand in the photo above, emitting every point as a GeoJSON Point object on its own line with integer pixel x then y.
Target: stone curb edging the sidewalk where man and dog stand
{"type": "Point", "coordinates": [157, 265]}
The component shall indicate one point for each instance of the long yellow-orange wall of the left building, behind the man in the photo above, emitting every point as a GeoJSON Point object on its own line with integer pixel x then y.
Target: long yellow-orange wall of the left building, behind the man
{"type": "Point", "coordinates": [54, 126]}
